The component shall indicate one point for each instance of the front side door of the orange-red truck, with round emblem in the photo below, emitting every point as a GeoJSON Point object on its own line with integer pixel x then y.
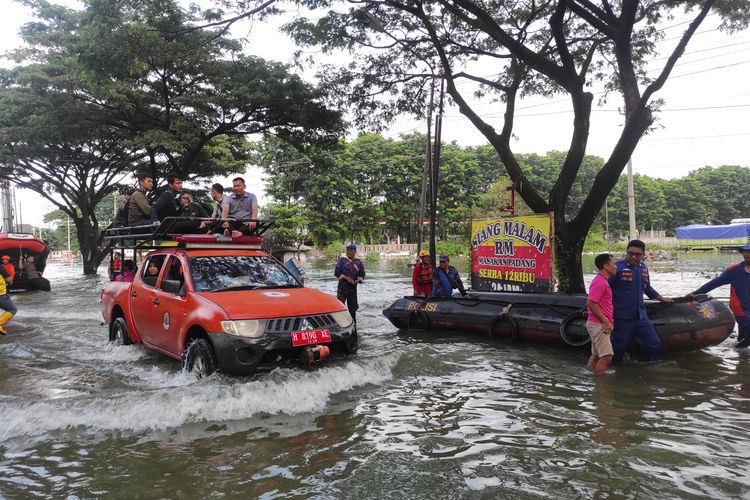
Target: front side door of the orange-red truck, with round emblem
{"type": "Point", "coordinates": [171, 308]}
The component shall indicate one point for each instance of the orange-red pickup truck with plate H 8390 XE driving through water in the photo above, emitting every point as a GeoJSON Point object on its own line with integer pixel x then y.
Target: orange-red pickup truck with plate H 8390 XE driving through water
{"type": "Point", "coordinates": [228, 307]}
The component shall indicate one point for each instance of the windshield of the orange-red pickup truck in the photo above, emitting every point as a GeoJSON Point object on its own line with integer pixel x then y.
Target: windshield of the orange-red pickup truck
{"type": "Point", "coordinates": [233, 272]}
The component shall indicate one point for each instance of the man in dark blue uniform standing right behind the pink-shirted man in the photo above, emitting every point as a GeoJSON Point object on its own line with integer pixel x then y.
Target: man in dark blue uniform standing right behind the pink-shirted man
{"type": "Point", "coordinates": [629, 283]}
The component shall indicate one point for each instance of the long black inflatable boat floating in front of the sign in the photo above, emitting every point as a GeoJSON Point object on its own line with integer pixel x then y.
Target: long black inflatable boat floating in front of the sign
{"type": "Point", "coordinates": [690, 323]}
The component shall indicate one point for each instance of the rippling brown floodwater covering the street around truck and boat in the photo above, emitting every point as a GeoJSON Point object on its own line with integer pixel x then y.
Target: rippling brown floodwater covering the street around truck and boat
{"type": "Point", "coordinates": [406, 418]}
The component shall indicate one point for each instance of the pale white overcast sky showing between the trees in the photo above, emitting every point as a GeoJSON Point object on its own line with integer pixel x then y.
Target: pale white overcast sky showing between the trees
{"type": "Point", "coordinates": [704, 119]}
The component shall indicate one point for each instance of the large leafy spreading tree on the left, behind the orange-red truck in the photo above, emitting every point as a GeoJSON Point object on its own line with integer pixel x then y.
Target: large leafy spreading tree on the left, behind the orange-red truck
{"type": "Point", "coordinates": [133, 86]}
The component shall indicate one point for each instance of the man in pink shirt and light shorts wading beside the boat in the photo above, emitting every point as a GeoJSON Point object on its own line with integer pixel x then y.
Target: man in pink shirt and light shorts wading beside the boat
{"type": "Point", "coordinates": [600, 311]}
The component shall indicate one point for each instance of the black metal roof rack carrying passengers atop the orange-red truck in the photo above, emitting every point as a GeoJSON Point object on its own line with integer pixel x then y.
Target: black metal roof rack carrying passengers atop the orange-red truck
{"type": "Point", "coordinates": [173, 229]}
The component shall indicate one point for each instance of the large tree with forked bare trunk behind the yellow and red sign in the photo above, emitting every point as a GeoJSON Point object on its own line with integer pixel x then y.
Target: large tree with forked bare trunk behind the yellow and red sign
{"type": "Point", "coordinates": [512, 49]}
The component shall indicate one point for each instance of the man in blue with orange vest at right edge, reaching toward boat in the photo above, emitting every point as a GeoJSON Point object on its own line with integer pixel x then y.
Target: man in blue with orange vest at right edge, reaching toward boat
{"type": "Point", "coordinates": [738, 277]}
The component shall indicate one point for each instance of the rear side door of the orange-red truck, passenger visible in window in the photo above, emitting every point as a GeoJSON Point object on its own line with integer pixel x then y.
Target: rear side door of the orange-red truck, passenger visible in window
{"type": "Point", "coordinates": [145, 302]}
